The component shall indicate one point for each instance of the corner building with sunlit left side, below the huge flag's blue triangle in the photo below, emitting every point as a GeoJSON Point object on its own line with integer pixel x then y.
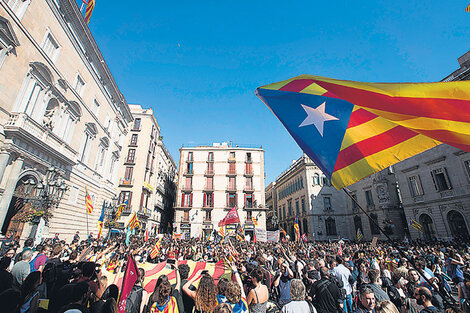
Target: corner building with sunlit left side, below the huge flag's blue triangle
{"type": "Point", "coordinates": [304, 191]}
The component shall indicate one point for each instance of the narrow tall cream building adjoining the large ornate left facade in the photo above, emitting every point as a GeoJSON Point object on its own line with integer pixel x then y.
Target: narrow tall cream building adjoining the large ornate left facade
{"type": "Point", "coordinates": [138, 174]}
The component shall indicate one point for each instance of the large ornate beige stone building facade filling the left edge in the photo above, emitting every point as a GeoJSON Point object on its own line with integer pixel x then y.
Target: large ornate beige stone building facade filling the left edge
{"type": "Point", "coordinates": [60, 108]}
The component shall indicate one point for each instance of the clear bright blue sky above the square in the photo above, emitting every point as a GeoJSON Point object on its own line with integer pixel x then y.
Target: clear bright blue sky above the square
{"type": "Point", "coordinates": [197, 64]}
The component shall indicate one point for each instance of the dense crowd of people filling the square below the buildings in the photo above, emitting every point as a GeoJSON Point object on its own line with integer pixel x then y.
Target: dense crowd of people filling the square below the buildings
{"type": "Point", "coordinates": [288, 276]}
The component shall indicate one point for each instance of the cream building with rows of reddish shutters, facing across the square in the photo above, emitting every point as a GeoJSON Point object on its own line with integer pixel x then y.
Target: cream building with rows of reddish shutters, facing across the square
{"type": "Point", "coordinates": [214, 179]}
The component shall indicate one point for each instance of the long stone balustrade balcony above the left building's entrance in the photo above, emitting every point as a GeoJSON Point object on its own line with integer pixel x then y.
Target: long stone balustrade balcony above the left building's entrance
{"type": "Point", "coordinates": [21, 125]}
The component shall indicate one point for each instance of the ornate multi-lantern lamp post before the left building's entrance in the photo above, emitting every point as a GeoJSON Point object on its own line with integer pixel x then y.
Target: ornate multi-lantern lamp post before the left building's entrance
{"type": "Point", "coordinates": [38, 199]}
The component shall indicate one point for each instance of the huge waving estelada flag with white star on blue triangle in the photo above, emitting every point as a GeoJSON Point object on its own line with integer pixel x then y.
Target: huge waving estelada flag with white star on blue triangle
{"type": "Point", "coordinates": [352, 129]}
